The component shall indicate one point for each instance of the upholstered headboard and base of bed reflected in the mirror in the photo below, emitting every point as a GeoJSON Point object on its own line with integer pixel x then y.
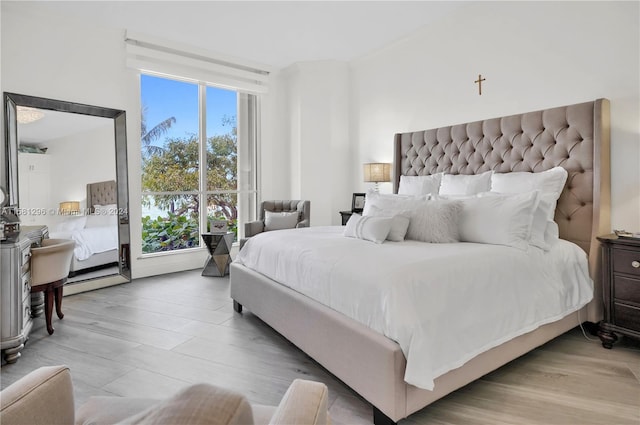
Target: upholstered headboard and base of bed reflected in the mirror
{"type": "Point", "coordinates": [100, 193]}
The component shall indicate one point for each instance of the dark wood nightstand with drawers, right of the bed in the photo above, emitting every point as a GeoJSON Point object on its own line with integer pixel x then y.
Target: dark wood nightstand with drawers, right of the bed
{"type": "Point", "coordinates": [621, 286]}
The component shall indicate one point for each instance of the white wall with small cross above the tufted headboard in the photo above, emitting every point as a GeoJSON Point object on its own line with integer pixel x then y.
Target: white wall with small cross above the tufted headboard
{"type": "Point", "coordinates": [534, 55]}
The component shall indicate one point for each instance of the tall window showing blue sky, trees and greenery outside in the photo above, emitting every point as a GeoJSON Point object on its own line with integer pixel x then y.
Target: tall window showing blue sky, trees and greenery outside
{"type": "Point", "coordinates": [198, 161]}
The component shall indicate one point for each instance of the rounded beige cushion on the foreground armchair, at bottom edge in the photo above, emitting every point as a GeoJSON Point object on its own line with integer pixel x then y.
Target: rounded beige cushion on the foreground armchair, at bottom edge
{"type": "Point", "coordinates": [197, 404]}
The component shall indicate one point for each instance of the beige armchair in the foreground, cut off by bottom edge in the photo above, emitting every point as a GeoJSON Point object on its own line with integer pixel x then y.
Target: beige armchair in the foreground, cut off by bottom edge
{"type": "Point", "coordinates": [45, 396]}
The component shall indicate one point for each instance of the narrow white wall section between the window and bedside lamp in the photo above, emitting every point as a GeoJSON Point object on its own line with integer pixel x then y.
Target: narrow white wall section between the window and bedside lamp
{"type": "Point", "coordinates": [315, 127]}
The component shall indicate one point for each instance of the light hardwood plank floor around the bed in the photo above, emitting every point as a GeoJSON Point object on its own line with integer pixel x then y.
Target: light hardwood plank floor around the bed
{"type": "Point", "coordinates": [155, 335]}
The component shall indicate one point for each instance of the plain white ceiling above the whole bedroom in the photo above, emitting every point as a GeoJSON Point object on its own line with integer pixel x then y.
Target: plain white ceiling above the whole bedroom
{"type": "Point", "coordinates": [274, 33]}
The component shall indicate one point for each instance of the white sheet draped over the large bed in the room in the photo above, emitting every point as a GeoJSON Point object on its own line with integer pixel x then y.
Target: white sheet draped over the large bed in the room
{"type": "Point", "coordinates": [443, 303]}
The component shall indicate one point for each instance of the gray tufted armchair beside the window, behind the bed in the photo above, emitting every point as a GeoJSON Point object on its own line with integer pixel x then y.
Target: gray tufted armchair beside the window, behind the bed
{"type": "Point", "coordinates": [303, 218]}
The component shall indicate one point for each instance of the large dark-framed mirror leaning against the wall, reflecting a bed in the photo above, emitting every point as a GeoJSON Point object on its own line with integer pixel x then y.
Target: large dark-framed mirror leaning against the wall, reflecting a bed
{"type": "Point", "coordinates": [67, 170]}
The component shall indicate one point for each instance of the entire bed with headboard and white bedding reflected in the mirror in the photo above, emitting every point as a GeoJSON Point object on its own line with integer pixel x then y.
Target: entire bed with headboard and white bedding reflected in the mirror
{"type": "Point", "coordinates": [95, 232]}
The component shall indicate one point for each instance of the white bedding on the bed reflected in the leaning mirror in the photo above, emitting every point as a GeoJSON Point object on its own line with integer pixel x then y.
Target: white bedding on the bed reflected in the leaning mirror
{"type": "Point", "coordinates": [90, 240]}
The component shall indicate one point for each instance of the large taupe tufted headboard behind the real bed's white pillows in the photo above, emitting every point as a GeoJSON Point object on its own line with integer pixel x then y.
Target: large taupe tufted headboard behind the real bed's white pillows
{"type": "Point", "coordinates": [575, 137]}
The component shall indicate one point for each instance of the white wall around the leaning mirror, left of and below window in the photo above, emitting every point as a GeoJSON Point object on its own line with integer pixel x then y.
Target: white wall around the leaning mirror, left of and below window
{"type": "Point", "coordinates": [82, 62]}
